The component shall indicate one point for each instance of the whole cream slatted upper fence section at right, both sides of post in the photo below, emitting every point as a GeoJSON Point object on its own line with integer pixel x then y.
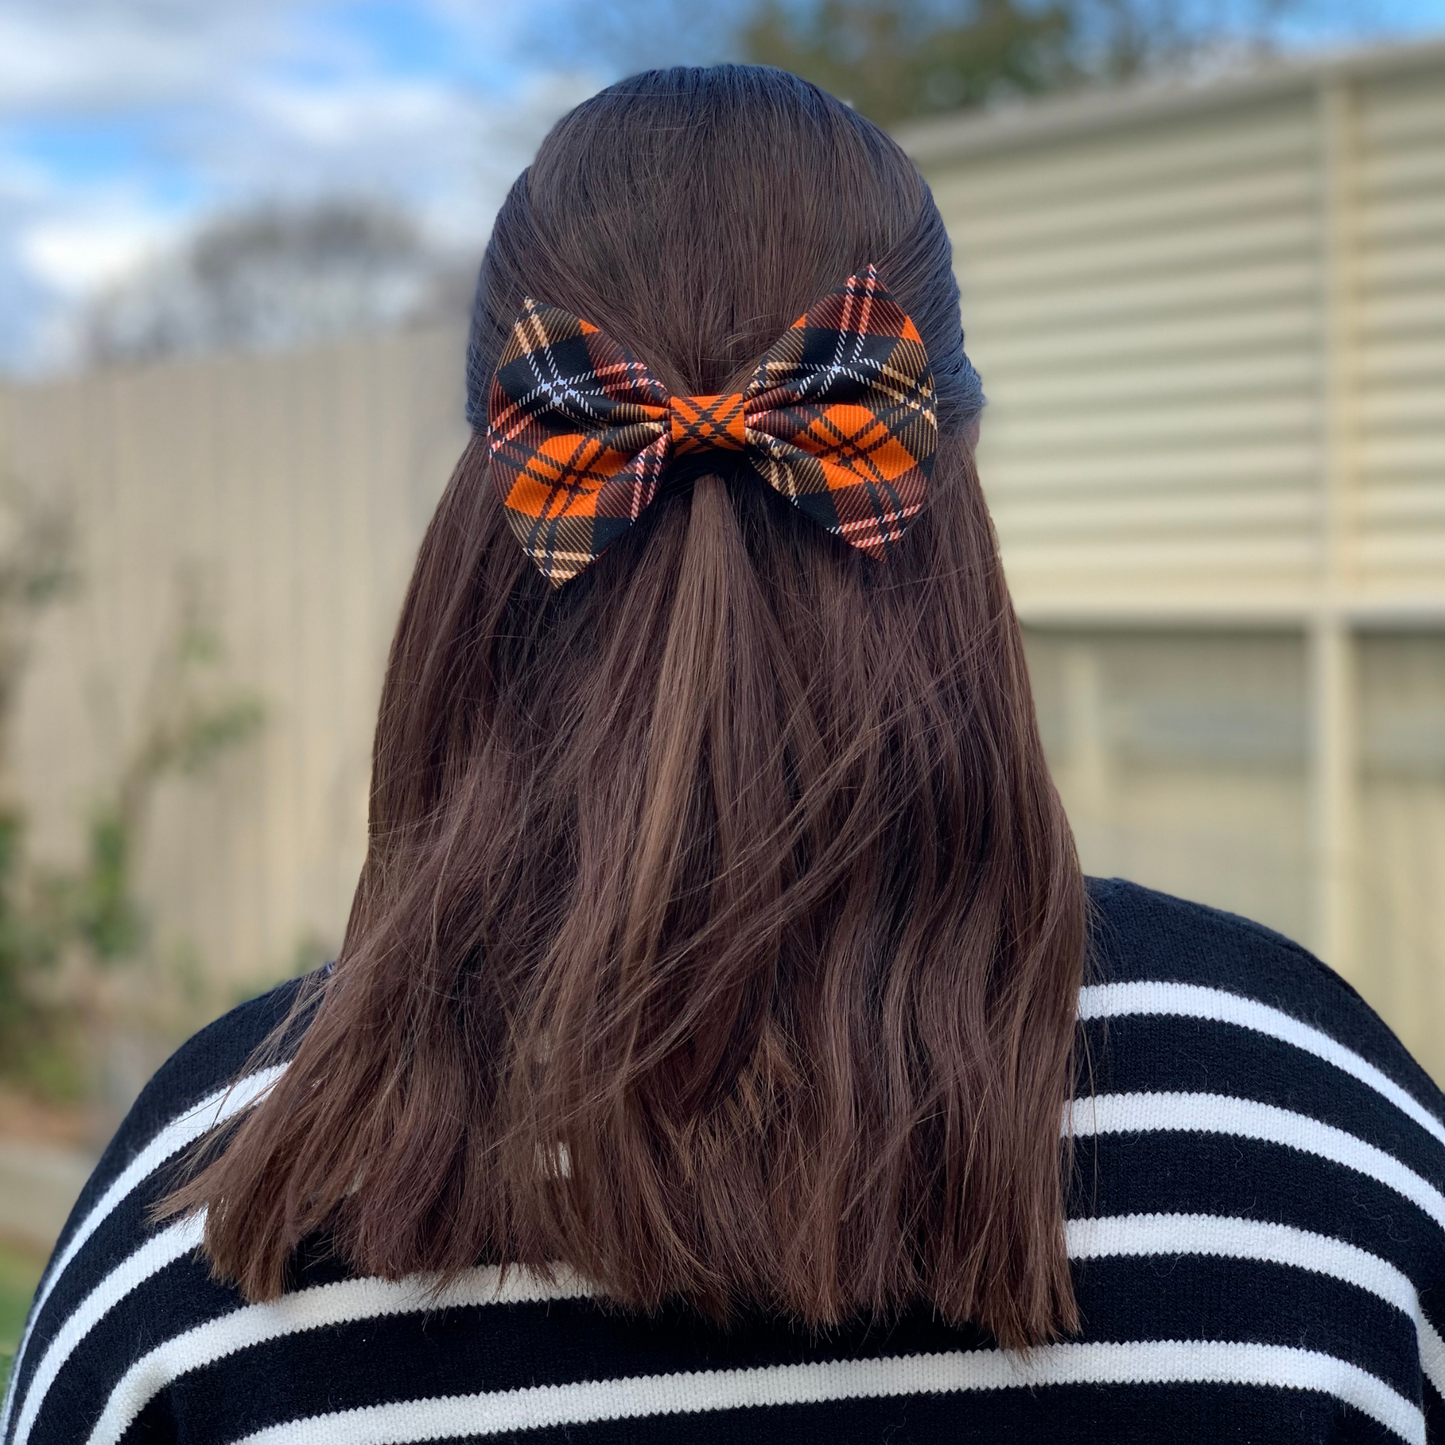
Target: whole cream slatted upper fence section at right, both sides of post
{"type": "Point", "coordinates": [1170, 309]}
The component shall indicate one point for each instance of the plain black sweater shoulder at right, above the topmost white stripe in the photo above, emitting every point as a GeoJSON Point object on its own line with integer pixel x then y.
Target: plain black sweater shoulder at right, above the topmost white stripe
{"type": "Point", "coordinates": [1142, 936]}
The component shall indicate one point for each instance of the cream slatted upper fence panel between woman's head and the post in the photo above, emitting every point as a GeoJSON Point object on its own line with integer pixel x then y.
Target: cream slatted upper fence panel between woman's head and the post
{"type": "Point", "coordinates": [1145, 311]}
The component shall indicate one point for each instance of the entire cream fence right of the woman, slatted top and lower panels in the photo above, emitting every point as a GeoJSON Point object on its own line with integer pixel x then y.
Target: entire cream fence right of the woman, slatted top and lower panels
{"type": "Point", "coordinates": [1212, 326]}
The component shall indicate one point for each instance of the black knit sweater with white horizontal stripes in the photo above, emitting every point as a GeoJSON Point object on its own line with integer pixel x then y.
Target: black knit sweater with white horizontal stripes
{"type": "Point", "coordinates": [1258, 1235]}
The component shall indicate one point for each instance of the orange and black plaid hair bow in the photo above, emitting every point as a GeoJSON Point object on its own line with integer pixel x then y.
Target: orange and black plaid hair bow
{"type": "Point", "coordinates": [839, 418]}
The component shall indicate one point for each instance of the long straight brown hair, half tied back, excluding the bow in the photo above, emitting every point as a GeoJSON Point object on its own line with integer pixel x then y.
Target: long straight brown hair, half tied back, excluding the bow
{"type": "Point", "coordinates": [720, 931]}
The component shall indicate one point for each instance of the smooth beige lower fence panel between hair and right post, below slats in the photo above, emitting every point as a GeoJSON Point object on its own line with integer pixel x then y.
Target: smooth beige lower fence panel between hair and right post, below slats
{"type": "Point", "coordinates": [1183, 762]}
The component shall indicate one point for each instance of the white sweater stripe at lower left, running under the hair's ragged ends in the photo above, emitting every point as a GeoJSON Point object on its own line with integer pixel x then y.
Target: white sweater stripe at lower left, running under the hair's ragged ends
{"type": "Point", "coordinates": [316, 1308]}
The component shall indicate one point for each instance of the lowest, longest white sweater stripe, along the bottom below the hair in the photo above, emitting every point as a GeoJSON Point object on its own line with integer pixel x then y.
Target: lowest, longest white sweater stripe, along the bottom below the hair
{"type": "Point", "coordinates": [691, 1394]}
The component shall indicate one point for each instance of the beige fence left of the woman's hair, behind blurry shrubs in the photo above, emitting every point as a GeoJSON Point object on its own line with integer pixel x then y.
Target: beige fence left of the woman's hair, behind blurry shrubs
{"type": "Point", "coordinates": [291, 492]}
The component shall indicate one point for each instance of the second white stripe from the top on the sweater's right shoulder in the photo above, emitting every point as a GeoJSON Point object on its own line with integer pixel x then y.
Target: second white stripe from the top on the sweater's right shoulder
{"type": "Point", "coordinates": [1251, 1119]}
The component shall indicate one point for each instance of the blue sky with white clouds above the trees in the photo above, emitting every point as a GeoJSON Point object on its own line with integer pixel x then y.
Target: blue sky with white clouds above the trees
{"type": "Point", "coordinates": [126, 122]}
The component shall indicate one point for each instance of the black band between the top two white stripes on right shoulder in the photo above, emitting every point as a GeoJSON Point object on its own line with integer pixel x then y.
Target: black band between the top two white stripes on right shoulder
{"type": "Point", "coordinates": [1165, 1053]}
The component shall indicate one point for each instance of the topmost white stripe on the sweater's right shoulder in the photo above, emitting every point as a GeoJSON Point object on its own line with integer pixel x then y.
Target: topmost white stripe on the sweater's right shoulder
{"type": "Point", "coordinates": [1217, 1006]}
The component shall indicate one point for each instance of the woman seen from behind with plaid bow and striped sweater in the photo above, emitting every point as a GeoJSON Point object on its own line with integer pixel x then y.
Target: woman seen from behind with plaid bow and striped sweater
{"type": "Point", "coordinates": [715, 989]}
